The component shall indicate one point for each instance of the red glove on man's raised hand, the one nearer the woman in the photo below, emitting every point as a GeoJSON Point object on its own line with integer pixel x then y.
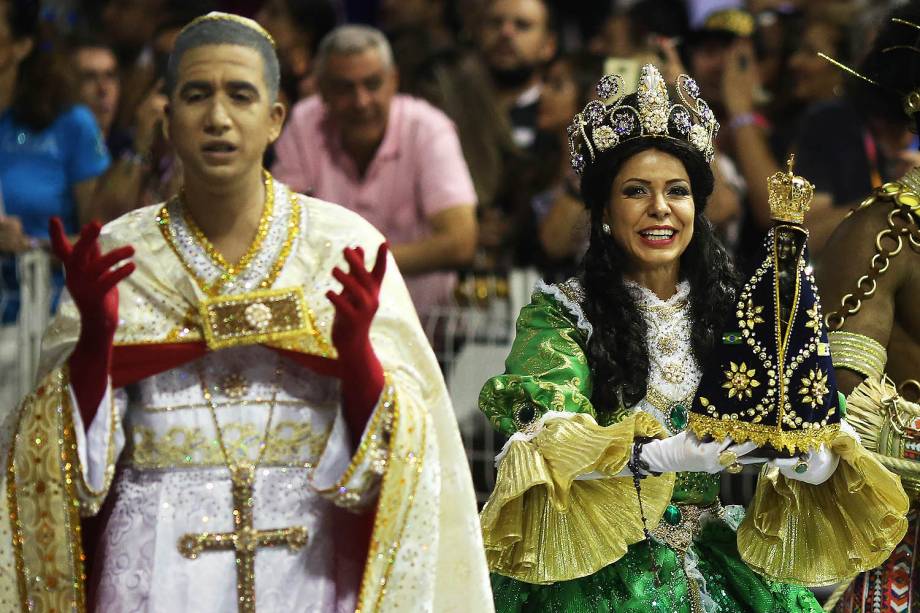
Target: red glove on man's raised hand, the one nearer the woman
{"type": "Point", "coordinates": [359, 368]}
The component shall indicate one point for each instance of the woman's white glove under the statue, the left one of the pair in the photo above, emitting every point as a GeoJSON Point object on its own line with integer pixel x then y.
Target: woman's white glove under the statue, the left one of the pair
{"type": "Point", "coordinates": [684, 452]}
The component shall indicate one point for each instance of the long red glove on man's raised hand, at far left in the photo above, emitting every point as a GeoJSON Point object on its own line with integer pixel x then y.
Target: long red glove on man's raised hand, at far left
{"type": "Point", "coordinates": [91, 284]}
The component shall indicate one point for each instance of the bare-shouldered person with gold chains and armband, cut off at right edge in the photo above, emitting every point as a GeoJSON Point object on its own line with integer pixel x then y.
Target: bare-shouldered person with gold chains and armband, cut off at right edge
{"type": "Point", "coordinates": [869, 275]}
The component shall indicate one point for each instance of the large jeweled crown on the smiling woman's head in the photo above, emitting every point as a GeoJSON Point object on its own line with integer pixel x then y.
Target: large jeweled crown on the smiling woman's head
{"type": "Point", "coordinates": [607, 122]}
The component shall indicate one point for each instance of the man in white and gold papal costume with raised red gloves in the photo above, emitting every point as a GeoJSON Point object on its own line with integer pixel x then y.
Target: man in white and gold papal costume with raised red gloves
{"type": "Point", "coordinates": [262, 430]}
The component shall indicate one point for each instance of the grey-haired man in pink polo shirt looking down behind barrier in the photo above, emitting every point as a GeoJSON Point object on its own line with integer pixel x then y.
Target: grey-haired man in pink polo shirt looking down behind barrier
{"type": "Point", "coordinates": [394, 159]}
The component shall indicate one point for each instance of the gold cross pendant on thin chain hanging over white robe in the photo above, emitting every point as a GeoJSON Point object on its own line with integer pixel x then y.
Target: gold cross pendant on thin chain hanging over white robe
{"type": "Point", "coordinates": [244, 540]}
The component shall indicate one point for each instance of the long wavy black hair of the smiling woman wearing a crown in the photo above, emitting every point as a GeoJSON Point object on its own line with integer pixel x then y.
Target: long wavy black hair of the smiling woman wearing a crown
{"type": "Point", "coordinates": [617, 350]}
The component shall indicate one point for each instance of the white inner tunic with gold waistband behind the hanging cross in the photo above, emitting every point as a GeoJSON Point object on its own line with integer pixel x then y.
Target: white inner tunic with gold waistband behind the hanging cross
{"type": "Point", "coordinates": [172, 481]}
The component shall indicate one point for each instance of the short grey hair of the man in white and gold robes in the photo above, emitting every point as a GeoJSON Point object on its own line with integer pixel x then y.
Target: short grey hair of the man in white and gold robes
{"type": "Point", "coordinates": [225, 32]}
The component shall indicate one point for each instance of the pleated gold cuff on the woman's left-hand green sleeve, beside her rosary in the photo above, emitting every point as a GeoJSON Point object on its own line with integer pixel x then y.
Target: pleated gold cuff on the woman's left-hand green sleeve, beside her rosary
{"type": "Point", "coordinates": [541, 525]}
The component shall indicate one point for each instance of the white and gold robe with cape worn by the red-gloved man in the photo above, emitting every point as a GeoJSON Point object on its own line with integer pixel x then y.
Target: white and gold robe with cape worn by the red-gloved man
{"type": "Point", "coordinates": [171, 480]}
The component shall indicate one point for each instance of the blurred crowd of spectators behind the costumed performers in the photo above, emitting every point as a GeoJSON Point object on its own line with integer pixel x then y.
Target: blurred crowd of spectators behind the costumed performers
{"type": "Point", "coordinates": [449, 131]}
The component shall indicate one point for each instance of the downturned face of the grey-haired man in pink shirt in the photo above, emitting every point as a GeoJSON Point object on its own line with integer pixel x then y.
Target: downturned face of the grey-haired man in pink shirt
{"type": "Point", "coordinates": [358, 89]}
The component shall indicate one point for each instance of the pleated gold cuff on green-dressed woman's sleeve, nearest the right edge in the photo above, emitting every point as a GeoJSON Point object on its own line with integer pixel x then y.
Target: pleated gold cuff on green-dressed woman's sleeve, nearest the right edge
{"type": "Point", "coordinates": [816, 535]}
